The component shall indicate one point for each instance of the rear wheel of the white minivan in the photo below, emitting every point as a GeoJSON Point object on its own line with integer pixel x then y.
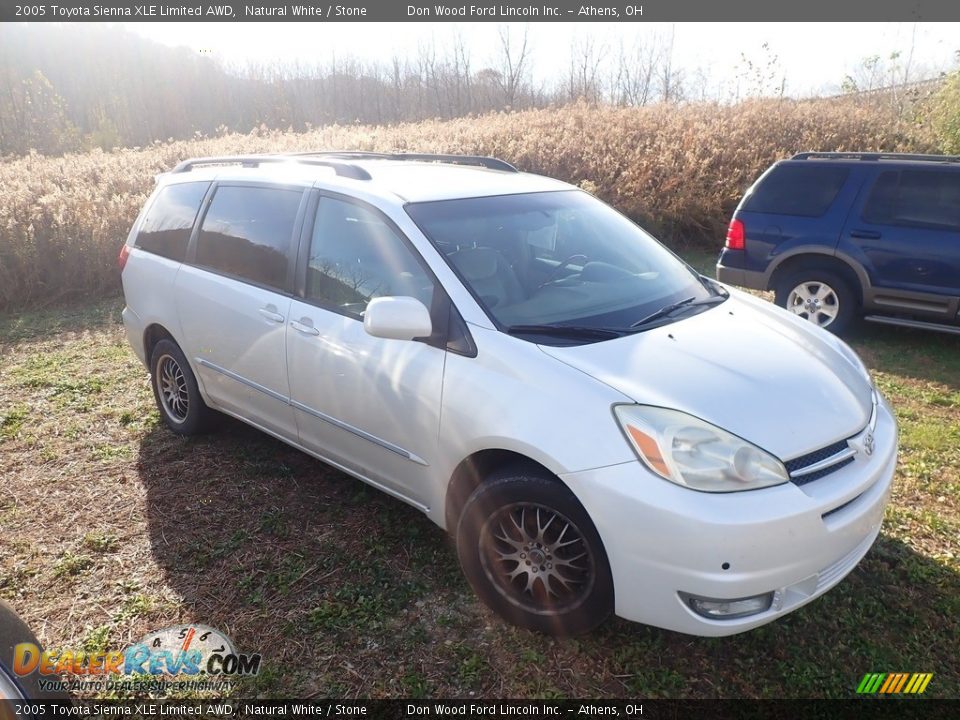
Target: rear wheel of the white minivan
{"type": "Point", "coordinates": [176, 392]}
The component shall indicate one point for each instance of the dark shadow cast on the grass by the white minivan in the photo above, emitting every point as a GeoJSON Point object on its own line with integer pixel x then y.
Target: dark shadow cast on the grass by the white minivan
{"type": "Point", "coordinates": [347, 592]}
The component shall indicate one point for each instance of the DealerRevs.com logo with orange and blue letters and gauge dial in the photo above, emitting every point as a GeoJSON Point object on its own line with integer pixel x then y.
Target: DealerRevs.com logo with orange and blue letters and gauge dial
{"type": "Point", "coordinates": [194, 653]}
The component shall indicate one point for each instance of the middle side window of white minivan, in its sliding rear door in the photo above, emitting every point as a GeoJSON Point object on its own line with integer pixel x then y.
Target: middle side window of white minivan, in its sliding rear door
{"type": "Point", "coordinates": [248, 232]}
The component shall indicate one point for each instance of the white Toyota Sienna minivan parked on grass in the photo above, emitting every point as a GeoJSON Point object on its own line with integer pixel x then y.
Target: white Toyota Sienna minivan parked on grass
{"type": "Point", "coordinates": [601, 428]}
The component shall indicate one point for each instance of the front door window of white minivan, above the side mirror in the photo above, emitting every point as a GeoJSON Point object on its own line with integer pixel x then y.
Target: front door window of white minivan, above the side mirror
{"type": "Point", "coordinates": [356, 256]}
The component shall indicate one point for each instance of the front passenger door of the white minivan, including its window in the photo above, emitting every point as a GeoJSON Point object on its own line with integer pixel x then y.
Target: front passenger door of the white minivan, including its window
{"type": "Point", "coordinates": [369, 404]}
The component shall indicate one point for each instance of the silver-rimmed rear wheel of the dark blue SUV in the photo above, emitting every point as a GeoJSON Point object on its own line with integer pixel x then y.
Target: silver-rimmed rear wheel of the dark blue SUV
{"type": "Point", "coordinates": [820, 296]}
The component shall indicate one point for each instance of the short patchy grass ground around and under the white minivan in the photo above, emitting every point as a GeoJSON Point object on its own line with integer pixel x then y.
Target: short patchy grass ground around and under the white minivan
{"type": "Point", "coordinates": [113, 527]}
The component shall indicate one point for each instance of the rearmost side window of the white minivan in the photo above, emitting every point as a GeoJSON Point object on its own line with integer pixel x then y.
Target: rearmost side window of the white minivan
{"type": "Point", "coordinates": [166, 229]}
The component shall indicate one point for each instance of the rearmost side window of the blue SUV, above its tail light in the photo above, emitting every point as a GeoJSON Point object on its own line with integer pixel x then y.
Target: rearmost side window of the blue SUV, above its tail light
{"type": "Point", "coordinates": [798, 189]}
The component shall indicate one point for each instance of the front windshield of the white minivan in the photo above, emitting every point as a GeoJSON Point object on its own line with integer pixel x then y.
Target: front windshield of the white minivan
{"type": "Point", "coordinates": [562, 264]}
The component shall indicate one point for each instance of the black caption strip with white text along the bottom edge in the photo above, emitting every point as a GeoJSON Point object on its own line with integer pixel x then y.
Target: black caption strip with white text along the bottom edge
{"type": "Point", "coordinates": [873, 707]}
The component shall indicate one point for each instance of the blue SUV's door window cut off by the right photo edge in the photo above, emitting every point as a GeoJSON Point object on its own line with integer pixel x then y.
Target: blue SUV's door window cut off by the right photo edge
{"type": "Point", "coordinates": [916, 198]}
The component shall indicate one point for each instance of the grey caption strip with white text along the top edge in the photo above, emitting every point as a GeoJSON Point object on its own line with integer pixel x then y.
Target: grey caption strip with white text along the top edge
{"type": "Point", "coordinates": [481, 11]}
